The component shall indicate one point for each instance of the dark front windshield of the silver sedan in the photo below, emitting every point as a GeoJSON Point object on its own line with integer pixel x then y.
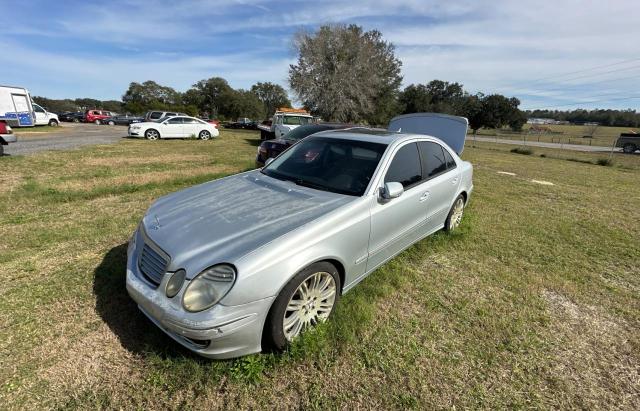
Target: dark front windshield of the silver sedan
{"type": "Point", "coordinates": [329, 164]}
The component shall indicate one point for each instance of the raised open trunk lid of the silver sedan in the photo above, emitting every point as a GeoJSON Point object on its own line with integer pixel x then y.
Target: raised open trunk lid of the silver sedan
{"type": "Point", "coordinates": [450, 129]}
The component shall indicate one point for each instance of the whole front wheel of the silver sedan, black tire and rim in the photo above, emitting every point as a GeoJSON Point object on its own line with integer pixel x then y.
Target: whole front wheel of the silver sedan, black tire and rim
{"type": "Point", "coordinates": [316, 307]}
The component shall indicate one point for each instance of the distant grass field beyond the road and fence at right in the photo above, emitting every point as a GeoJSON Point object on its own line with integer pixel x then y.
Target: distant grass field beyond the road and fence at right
{"type": "Point", "coordinates": [566, 134]}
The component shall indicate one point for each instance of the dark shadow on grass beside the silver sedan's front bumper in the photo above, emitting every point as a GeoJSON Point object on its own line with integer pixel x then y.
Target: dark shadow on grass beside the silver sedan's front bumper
{"type": "Point", "coordinates": [136, 333]}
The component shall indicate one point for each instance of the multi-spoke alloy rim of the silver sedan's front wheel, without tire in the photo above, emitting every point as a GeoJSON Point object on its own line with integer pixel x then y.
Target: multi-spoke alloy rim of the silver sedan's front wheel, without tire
{"type": "Point", "coordinates": [310, 304]}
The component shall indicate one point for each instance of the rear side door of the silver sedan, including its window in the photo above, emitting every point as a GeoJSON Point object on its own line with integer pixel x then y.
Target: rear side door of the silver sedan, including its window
{"type": "Point", "coordinates": [442, 180]}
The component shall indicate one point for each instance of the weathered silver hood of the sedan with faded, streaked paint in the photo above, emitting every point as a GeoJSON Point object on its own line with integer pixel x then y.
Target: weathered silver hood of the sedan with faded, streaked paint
{"type": "Point", "coordinates": [222, 220]}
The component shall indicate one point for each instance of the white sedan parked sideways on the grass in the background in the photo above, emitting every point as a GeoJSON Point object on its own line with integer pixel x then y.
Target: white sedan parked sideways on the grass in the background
{"type": "Point", "coordinates": [174, 127]}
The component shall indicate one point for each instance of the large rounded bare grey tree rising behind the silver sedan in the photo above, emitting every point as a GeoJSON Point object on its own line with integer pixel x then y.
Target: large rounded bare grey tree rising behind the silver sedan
{"type": "Point", "coordinates": [344, 73]}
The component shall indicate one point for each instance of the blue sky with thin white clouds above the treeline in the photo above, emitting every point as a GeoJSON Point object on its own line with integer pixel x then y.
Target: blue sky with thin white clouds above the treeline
{"type": "Point", "coordinates": [557, 54]}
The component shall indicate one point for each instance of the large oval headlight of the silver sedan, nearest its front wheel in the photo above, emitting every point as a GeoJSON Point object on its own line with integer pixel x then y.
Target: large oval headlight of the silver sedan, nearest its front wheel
{"type": "Point", "coordinates": [208, 287]}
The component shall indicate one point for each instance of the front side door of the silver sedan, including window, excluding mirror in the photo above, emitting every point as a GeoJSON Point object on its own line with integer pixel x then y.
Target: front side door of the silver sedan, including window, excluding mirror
{"type": "Point", "coordinates": [397, 223]}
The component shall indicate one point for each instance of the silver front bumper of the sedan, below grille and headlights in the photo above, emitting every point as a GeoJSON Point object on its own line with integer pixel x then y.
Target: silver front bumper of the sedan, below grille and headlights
{"type": "Point", "coordinates": [220, 332]}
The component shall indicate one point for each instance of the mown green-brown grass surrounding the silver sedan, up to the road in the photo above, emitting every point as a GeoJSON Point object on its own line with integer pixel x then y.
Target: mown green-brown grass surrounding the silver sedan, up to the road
{"type": "Point", "coordinates": [535, 303]}
